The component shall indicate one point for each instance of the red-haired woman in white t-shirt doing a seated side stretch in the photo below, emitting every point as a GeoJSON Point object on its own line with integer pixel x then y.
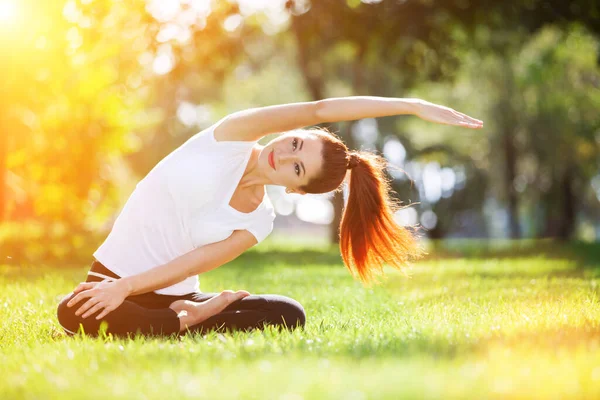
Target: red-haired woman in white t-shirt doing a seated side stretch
{"type": "Point", "coordinates": [205, 204]}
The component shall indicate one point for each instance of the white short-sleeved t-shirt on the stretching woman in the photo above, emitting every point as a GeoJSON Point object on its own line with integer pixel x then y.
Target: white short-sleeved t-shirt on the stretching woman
{"type": "Point", "coordinates": [183, 203]}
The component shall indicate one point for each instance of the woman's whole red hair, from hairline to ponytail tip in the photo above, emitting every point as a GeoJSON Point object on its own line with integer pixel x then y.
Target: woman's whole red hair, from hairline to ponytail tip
{"type": "Point", "coordinates": [369, 236]}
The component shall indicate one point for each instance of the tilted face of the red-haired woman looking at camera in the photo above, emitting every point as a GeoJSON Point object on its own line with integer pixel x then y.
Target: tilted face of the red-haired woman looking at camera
{"type": "Point", "coordinates": [292, 159]}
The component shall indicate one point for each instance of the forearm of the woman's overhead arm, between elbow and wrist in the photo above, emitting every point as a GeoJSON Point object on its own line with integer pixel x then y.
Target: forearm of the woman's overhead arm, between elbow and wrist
{"type": "Point", "coordinates": [358, 107]}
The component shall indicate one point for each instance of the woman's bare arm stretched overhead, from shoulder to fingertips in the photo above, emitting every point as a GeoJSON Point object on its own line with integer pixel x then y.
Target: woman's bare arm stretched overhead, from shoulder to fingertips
{"type": "Point", "coordinates": [254, 123]}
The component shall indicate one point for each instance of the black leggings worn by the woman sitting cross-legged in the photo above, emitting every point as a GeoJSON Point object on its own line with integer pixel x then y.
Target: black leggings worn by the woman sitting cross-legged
{"type": "Point", "coordinates": [149, 313]}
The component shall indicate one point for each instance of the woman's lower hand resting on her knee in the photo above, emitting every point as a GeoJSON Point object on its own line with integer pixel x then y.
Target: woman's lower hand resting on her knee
{"type": "Point", "coordinates": [105, 295]}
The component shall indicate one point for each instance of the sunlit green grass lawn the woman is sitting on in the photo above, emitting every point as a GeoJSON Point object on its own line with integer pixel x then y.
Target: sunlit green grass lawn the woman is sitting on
{"type": "Point", "coordinates": [473, 321]}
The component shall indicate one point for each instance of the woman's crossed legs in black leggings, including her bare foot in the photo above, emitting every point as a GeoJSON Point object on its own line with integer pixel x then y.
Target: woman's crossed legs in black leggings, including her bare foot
{"type": "Point", "coordinates": [159, 315]}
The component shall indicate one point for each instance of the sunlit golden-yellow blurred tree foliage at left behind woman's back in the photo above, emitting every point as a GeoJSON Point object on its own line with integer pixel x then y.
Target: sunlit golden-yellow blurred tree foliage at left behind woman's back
{"type": "Point", "coordinates": [95, 81]}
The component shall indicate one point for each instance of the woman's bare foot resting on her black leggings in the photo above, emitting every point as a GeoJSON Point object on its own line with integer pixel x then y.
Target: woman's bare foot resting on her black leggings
{"type": "Point", "coordinates": [192, 313]}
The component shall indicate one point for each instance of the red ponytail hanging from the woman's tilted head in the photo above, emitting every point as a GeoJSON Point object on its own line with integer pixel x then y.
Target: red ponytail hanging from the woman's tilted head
{"type": "Point", "coordinates": [369, 236]}
